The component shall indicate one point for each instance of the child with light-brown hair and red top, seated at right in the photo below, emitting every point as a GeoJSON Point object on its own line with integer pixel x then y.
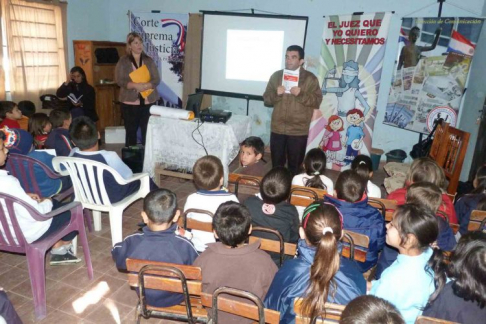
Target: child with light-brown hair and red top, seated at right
{"type": "Point", "coordinates": [426, 170]}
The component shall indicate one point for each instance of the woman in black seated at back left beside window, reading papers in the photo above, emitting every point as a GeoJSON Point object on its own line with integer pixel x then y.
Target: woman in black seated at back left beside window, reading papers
{"type": "Point", "coordinates": [79, 94]}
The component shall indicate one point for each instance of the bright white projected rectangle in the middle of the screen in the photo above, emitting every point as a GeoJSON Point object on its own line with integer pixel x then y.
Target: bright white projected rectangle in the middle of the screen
{"type": "Point", "coordinates": [253, 55]}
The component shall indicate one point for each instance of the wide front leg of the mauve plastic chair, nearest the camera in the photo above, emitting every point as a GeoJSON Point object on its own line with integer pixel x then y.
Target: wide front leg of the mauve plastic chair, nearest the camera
{"type": "Point", "coordinates": [37, 273]}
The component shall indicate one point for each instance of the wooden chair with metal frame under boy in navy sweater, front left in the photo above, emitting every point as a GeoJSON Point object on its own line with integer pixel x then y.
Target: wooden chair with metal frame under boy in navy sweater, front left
{"type": "Point", "coordinates": [176, 278]}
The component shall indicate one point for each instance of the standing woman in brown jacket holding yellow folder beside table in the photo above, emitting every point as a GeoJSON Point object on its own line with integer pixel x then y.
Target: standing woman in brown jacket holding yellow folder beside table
{"type": "Point", "coordinates": [138, 77]}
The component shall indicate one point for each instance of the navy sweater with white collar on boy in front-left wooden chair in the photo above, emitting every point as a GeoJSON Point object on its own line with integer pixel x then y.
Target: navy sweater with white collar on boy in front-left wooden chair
{"type": "Point", "coordinates": [163, 246]}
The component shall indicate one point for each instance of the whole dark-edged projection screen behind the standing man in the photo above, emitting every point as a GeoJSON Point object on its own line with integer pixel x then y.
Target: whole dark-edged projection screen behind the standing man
{"type": "Point", "coordinates": [241, 51]}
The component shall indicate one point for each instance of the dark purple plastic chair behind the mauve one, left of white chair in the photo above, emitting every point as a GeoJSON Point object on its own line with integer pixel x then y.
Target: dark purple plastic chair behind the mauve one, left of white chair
{"type": "Point", "coordinates": [16, 165]}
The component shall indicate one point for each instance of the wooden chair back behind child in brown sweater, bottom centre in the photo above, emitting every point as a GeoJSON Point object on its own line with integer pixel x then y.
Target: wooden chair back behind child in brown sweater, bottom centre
{"type": "Point", "coordinates": [255, 311]}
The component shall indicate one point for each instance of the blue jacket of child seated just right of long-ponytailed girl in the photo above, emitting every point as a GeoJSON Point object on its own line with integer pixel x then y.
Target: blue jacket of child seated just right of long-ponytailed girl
{"type": "Point", "coordinates": [364, 219]}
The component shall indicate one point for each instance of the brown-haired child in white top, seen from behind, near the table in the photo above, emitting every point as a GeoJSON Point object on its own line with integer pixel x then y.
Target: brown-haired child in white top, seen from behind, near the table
{"type": "Point", "coordinates": [208, 179]}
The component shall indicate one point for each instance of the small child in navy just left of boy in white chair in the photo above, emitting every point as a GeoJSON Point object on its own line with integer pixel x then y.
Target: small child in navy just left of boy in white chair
{"type": "Point", "coordinates": [59, 138]}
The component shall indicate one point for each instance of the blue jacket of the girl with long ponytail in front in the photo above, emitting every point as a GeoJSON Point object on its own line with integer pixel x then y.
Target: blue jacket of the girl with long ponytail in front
{"type": "Point", "coordinates": [292, 280]}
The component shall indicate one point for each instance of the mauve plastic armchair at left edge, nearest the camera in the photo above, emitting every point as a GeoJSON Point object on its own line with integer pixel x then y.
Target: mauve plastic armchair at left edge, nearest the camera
{"type": "Point", "coordinates": [13, 240]}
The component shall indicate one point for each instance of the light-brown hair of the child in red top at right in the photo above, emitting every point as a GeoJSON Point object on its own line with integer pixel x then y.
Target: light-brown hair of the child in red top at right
{"type": "Point", "coordinates": [425, 169]}
